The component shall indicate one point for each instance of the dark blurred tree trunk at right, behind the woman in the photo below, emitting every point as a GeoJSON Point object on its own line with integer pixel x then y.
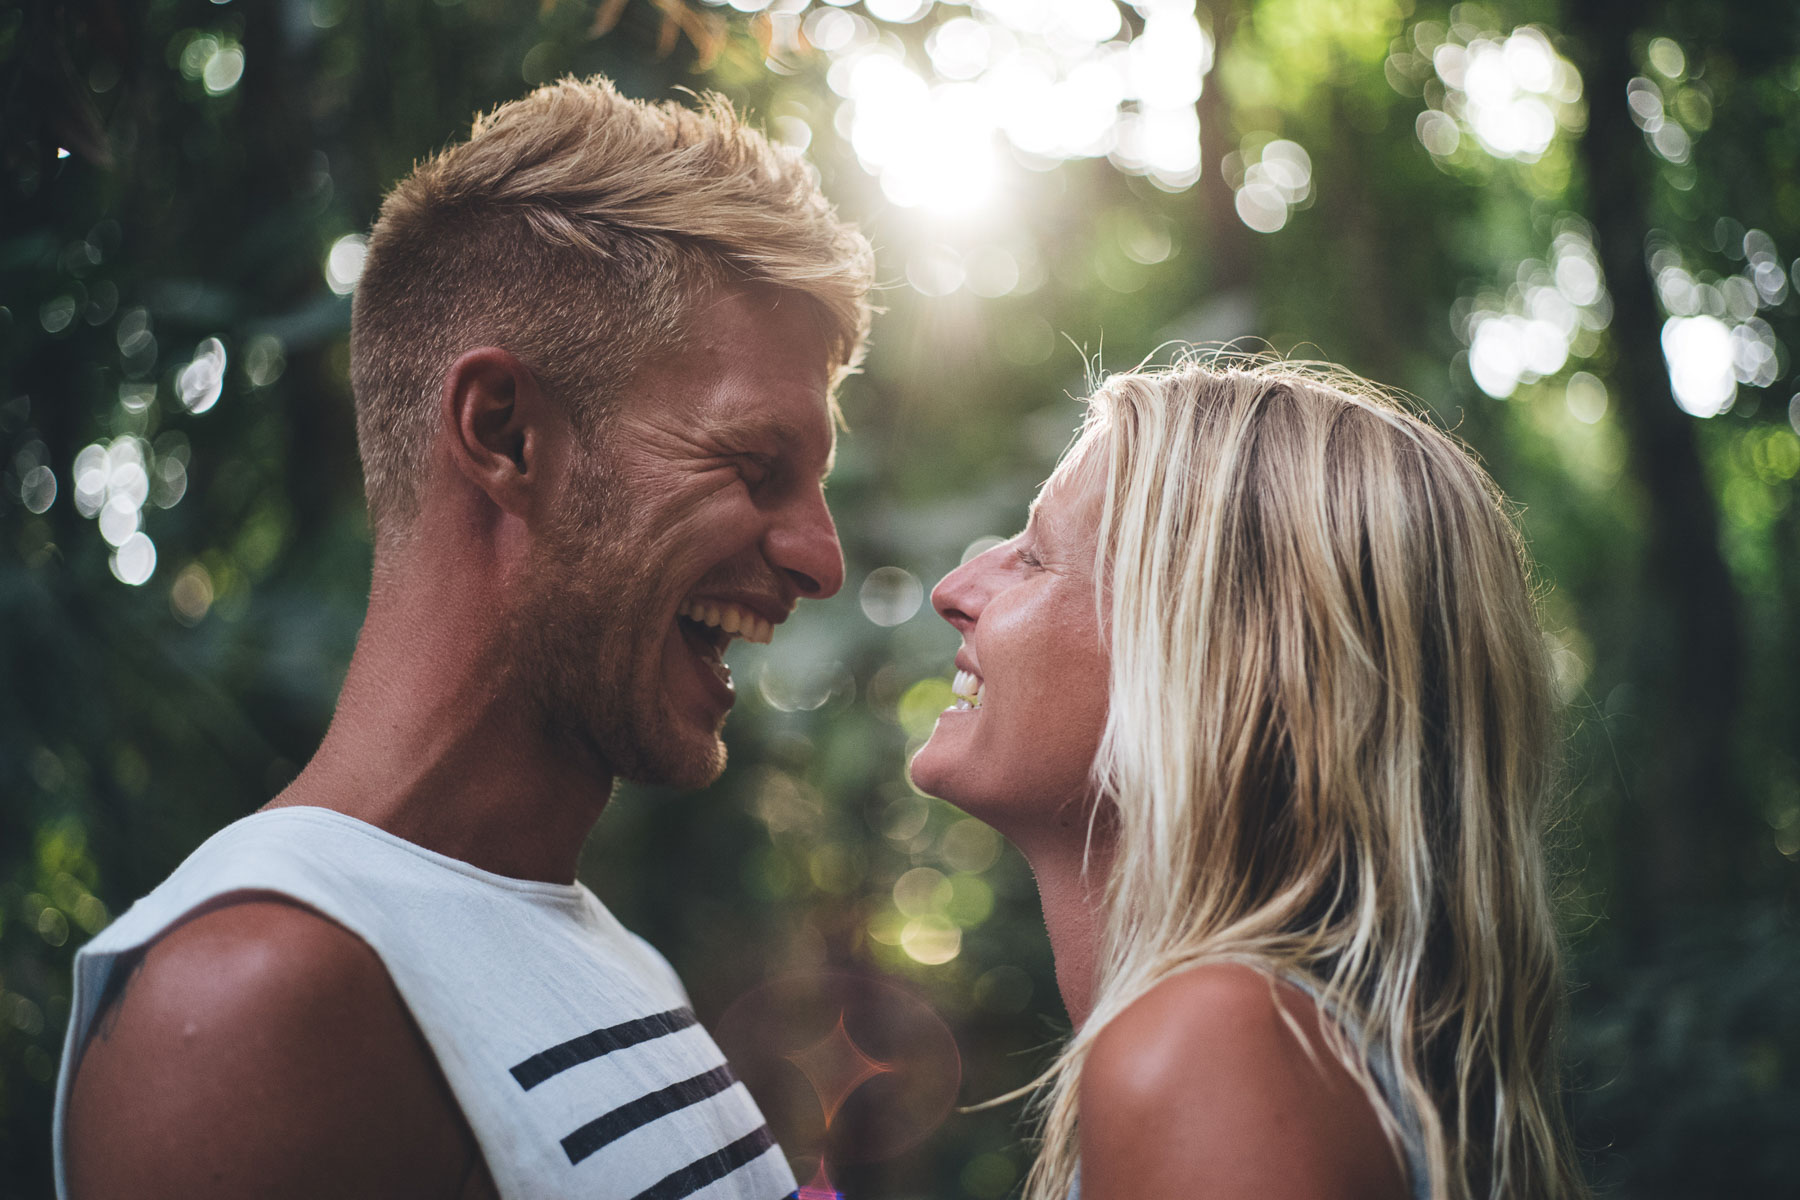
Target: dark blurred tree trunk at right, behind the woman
{"type": "Point", "coordinates": [1687, 656]}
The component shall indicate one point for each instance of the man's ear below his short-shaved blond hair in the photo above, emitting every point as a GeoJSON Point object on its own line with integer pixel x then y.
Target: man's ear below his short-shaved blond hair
{"type": "Point", "coordinates": [498, 425]}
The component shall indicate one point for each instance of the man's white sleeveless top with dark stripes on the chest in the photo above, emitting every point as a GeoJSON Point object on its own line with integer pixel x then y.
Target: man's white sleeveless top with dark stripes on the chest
{"type": "Point", "coordinates": [568, 1041]}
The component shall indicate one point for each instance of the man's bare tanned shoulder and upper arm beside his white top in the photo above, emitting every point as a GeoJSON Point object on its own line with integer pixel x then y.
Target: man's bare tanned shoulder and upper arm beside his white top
{"type": "Point", "coordinates": [262, 1052]}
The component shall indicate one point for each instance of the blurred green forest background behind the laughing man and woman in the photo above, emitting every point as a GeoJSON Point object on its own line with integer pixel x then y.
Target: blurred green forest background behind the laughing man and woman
{"type": "Point", "coordinates": [179, 172]}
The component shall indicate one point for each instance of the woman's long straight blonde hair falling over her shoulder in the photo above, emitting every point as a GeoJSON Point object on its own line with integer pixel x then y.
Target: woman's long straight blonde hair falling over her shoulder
{"type": "Point", "coordinates": [1331, 746]}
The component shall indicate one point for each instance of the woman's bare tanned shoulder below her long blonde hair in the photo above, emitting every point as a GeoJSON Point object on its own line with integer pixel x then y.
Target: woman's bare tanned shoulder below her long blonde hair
{"type": "Point", "coordinates": [1219, 1082]}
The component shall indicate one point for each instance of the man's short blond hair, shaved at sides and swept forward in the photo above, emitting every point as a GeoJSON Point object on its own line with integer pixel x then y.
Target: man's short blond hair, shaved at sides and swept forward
{"type": "Point", "coordinates": [579, 229]}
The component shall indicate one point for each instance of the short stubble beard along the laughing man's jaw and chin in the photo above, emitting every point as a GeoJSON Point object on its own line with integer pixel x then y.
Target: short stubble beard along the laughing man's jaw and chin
{"type": "Point", "coordinates": [582, 636]}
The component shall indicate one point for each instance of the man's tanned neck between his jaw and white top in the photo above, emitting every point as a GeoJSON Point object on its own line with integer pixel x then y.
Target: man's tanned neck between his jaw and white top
{"type": "Point", "coordinates": [436, 740]}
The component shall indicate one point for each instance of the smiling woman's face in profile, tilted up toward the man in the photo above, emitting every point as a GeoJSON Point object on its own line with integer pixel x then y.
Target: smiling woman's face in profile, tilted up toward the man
{"type": "Point", "coordinates": [1032, 674]}
